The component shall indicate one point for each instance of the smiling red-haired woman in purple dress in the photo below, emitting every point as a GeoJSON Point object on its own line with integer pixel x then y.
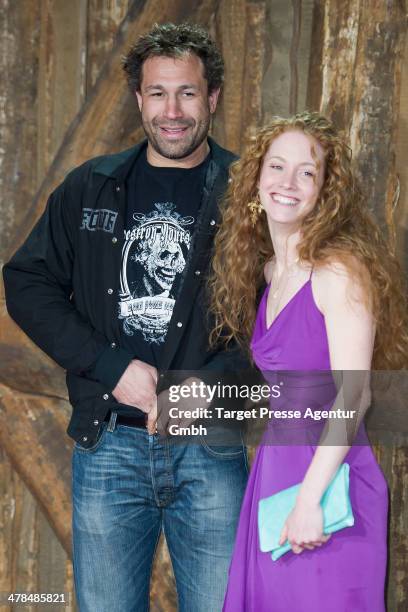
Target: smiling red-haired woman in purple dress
{"type": "Point", "coordinates": [334, 301]}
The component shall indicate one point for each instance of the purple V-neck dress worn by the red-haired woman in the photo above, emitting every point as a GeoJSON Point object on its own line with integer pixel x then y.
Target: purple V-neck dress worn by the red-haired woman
{"type": "Point", "coordinates": [348, 573]}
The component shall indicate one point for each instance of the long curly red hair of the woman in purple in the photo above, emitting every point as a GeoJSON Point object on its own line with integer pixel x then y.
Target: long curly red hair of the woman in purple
{"type": "Point", "coordinates": [340, 228]}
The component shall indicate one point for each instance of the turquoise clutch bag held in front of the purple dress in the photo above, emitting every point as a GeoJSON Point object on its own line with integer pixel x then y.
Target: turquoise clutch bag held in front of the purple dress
{"type": "Point", "coordinates": [274, 510]}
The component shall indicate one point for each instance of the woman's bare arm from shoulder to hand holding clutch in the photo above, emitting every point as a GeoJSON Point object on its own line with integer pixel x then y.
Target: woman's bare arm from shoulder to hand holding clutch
{"type": "Point", "coordinates": [350, 331]}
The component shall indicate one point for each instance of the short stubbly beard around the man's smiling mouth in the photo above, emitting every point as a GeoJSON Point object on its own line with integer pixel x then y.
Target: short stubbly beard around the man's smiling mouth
{"type": "Point", "coordinates": [179, 149]}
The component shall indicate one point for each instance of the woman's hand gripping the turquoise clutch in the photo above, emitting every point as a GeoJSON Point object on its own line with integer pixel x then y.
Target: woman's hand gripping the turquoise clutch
{"type": "Point", "coordinates": [304, 527]}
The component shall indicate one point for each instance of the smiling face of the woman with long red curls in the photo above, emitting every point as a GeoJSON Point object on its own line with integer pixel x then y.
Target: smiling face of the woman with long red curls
{"type": "Point", "coordinates": [291, 177]}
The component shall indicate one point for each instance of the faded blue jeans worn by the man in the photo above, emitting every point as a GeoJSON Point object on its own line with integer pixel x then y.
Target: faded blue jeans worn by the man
{"type": "Point", "coordinates": [129, 487]}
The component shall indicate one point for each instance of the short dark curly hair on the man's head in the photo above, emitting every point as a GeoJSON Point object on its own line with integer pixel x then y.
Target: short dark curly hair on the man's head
{"type": "Point", "coordinates": [176, 41]}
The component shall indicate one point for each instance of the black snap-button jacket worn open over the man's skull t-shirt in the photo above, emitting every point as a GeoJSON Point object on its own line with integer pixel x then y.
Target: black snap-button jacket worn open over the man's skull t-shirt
{"type": "Point", "coordinates": [62, 286]}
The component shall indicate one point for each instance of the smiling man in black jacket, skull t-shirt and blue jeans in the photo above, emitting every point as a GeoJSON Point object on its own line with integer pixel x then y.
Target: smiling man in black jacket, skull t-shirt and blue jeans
{"type": "Point", "coordinates": [111, 284]}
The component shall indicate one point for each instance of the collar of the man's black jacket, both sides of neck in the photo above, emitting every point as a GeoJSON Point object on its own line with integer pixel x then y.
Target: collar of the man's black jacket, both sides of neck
{"type": "Point", "coordinates": [118, 165]}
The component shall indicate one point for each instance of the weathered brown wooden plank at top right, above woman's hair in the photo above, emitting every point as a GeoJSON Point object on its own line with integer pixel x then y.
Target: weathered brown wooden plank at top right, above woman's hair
{"type": "Point", "coordinates": [374, 125]}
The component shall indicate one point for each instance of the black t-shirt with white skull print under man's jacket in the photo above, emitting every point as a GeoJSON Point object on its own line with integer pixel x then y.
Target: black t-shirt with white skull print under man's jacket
{"type": "Point", "coordinates": [162, 209]}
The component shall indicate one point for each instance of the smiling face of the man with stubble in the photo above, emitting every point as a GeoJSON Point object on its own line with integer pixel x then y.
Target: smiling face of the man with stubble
{"type": "Point", "coordinates": [175, 105]}
